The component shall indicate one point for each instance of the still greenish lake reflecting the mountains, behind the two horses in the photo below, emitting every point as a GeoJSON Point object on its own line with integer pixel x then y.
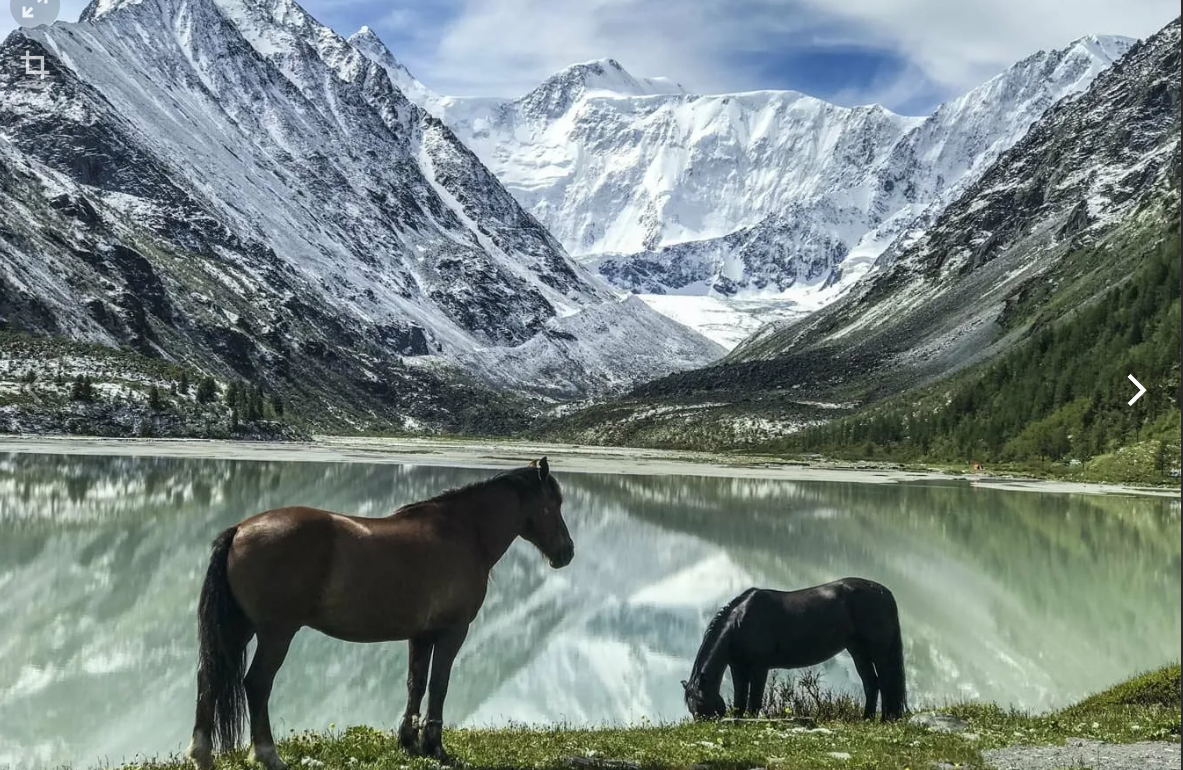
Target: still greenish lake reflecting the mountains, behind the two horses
{"type": "Point", "coordinates": [1014, 597]}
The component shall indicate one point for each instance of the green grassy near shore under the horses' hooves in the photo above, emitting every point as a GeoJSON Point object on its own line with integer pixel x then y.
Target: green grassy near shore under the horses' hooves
{"type": "Point", "coordinates": [1142, 709]}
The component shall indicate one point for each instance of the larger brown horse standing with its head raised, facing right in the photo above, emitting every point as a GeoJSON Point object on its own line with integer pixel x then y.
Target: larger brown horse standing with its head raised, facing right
{"type": "Point", "coordinates": [418, 575]}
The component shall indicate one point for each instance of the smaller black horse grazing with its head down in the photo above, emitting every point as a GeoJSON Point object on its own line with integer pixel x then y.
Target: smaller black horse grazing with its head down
{"type": "Point", "coordinates": [762, 630]}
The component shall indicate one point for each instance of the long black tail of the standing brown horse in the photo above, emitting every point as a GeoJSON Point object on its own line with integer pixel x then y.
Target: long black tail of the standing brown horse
{"type": "Point", "coordinates": [222, 658]}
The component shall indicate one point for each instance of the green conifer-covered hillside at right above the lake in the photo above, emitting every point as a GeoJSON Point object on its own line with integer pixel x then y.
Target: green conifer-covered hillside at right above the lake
{"type": "Point", "coordinates": [1061, 397]}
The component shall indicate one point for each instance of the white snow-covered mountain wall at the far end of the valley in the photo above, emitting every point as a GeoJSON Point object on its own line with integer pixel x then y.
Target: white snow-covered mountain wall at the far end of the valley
{"type": "Point", "coordinates": [767, 195]}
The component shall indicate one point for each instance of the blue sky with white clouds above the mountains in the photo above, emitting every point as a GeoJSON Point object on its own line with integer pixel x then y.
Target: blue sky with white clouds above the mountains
{"type": "Point", "coordinates": [907, 55]}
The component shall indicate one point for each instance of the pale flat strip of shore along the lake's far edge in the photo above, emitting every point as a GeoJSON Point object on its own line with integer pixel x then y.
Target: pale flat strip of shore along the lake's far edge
{"type": "Point", "coordinates": [565, 458]}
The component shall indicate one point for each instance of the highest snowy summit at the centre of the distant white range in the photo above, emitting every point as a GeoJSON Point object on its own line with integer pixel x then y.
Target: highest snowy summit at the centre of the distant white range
{"type": "Point", "coordinates": [557, 95]}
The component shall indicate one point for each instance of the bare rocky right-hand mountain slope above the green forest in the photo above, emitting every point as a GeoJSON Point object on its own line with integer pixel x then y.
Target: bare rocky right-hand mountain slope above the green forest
{"type": "Point", "coordinates": [1058, 219]}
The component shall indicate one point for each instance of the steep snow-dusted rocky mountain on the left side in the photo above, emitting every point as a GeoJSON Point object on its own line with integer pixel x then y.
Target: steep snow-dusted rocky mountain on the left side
{"type": "Point", "coordinates": [230, 183]}
